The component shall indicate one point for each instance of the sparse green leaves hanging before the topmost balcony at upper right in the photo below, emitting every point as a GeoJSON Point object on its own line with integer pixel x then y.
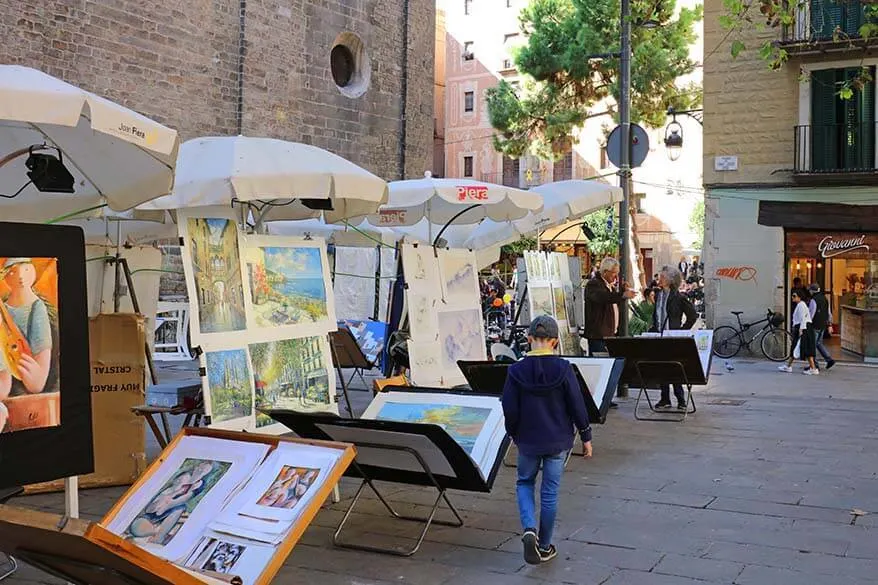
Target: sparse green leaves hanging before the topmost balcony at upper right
{"type": "Point", "coordinates": [767, 15]}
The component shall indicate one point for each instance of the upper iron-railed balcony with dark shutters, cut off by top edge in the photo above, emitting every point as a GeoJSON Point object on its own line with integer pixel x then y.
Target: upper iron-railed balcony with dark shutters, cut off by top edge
{"type": "Point", "coordinates": [828, 26]}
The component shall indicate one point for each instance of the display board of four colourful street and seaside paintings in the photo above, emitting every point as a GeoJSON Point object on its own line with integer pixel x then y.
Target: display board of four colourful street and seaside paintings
{"type": "Point", "coordinates": [261, 310]}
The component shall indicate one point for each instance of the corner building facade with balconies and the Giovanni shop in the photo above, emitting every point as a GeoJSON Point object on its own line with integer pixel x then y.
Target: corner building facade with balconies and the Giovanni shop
{"type": "Point", "coordinates": [790, 167]}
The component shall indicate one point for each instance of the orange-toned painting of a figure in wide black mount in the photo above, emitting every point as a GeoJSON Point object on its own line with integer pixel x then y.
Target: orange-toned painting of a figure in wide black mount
{"type": "Point", "coordinates": [45, 387]}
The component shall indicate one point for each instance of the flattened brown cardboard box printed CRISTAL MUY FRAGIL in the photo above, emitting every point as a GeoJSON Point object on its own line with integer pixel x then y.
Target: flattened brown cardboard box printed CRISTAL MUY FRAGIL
{"type": "Point", "coordinates": [118, 383]}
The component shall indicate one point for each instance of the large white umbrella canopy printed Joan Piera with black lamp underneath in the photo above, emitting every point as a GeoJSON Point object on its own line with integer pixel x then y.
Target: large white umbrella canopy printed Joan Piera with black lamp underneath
{"type": "Point", "coordinates": [117, 157]}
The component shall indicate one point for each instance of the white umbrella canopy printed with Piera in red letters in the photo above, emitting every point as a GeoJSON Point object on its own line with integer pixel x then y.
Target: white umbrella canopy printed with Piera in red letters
{"type": "Point", "coordinates": [440, 200]}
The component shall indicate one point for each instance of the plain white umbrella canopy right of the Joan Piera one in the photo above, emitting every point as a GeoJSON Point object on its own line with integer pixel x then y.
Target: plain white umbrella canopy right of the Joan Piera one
{"type": "Point", "coordinates": [280, 180]}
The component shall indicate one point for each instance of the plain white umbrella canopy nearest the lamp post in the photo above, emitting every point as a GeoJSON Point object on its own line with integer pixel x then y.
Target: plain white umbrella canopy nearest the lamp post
{"type": "Point", "coordinates": [563, 201]}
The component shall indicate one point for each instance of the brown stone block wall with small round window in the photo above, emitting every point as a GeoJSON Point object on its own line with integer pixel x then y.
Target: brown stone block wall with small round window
{"type": "Point", "coordinates": [226, 67]}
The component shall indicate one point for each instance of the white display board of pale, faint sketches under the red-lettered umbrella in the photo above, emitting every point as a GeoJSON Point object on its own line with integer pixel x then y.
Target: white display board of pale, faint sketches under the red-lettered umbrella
{"type": "Point", "coordinates": [444, 313]}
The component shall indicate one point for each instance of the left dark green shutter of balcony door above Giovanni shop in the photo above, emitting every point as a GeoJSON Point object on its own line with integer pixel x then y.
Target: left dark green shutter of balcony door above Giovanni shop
{"type": "Point", "coordinates": [825, 128]}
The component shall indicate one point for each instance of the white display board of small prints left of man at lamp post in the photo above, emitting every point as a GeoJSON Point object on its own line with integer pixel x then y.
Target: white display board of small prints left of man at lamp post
{"type": "Point", "coordinates": [549, 291]}
